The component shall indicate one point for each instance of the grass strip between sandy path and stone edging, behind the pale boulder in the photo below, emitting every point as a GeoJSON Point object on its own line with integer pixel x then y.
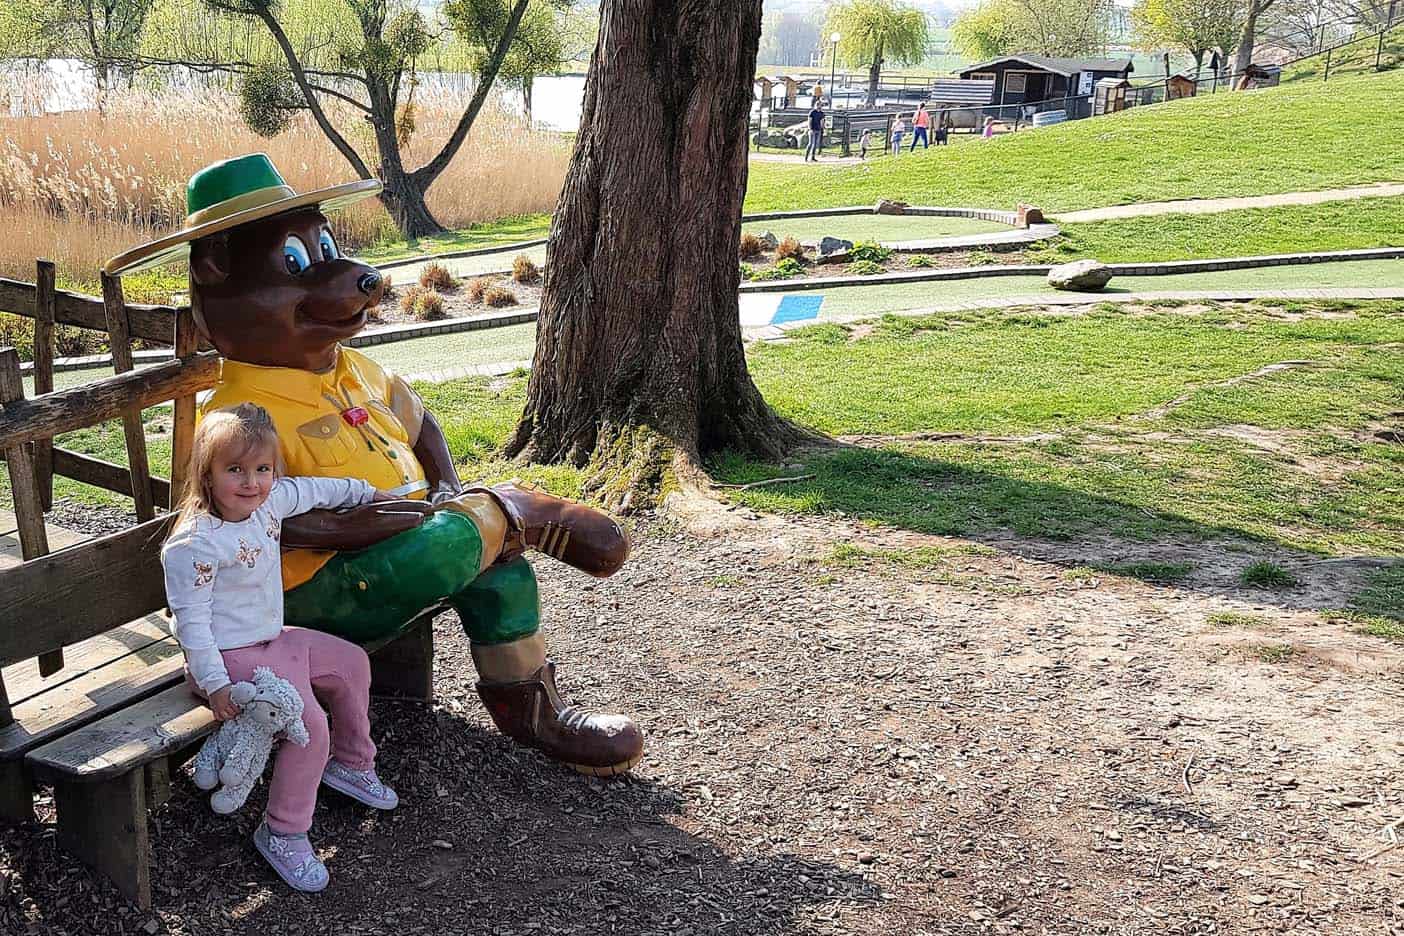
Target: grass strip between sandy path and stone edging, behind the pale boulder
{"type": "Point", "coordinates": [1365, 222]}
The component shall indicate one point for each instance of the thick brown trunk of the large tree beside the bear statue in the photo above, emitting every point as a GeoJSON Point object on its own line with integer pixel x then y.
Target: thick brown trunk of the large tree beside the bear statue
{"type": "Point", "coordinates": [640, 368]}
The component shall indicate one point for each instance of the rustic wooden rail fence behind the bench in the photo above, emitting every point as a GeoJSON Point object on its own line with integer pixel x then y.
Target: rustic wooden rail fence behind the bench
{"type": "Point", "coordinates": [29, 426]}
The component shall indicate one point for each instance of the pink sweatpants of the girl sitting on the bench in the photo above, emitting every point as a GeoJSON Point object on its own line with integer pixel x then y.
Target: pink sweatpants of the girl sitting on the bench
{"type": "Point", "coordinates": [324, 669]}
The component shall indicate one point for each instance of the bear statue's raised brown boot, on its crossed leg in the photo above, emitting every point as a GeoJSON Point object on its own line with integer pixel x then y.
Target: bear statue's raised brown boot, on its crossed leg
{"type": "Point", "coordinates": [575, 534]}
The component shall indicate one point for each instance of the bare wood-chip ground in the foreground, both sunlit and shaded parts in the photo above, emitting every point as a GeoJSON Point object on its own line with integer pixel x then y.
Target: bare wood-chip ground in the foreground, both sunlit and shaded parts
{"type": "Point", "coordinates": [978, 746]}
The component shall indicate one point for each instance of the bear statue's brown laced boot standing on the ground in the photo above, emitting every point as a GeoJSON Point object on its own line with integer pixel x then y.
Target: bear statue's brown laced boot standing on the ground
{"type": "Point", "coordinates": [530, 711]}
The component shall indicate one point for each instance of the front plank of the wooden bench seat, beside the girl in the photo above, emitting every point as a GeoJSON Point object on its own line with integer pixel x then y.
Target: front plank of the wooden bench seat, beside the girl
{"type": "Point", "coordinates": [126, 740]}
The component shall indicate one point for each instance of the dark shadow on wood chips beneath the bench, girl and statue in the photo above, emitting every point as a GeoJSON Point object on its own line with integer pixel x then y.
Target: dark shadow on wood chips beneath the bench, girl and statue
{"type": "Point", "coordinates": [491, 838]}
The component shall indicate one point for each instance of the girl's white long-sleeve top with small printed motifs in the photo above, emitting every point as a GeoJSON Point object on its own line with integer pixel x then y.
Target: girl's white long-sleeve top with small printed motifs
{"type": "Point", "coordinates": [224, 580]}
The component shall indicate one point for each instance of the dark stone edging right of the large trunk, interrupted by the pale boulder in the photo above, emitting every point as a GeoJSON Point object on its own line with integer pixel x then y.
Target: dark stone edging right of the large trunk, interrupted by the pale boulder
{"type": "Point", "coordinates": [1041, 270]}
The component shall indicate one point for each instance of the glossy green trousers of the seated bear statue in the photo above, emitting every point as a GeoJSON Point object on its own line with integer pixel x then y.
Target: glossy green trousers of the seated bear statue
{"type": "Point", "coordinates": [378, 591]}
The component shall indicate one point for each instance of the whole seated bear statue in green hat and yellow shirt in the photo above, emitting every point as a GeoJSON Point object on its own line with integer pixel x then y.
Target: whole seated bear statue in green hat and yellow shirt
{"type": "Point", "coordinates": [272, 291]}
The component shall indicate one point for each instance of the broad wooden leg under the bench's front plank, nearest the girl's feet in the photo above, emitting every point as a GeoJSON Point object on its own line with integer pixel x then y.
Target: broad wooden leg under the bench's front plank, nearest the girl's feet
{"type": "Point", "coordinates": [105, 826]}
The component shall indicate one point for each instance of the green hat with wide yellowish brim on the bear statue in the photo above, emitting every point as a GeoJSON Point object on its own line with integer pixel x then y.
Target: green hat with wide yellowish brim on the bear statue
{"type": "Point", "coordinates": [234, 193]}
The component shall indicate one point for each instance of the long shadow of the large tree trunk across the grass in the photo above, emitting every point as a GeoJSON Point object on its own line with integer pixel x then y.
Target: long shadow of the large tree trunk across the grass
{"type": "Point", "coordinates": [1055, 523]}
